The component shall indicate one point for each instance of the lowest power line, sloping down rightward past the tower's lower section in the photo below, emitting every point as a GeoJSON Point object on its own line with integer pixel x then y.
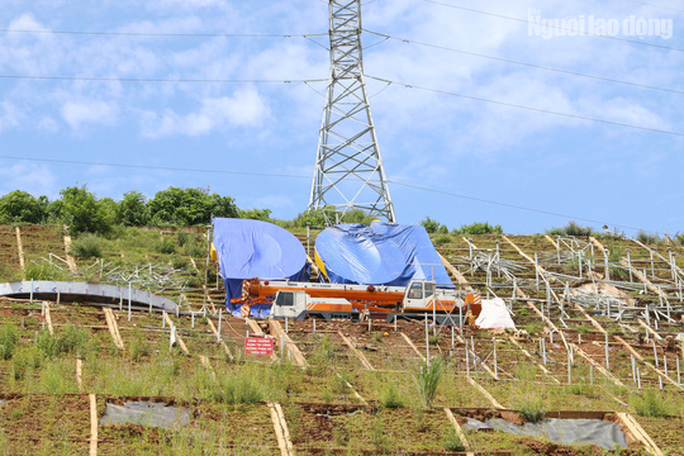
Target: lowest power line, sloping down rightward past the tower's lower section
{"type": "Point", "coordinates": [298, 176]}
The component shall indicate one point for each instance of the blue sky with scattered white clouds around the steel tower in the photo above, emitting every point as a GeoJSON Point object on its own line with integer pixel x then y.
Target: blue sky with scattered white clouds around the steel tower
{"type": "Point", "coordinates": [492, 115]}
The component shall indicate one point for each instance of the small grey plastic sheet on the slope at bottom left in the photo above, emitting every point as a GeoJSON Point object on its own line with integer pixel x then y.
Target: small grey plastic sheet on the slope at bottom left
{"type": "Point", "coordinates": [146, 413]}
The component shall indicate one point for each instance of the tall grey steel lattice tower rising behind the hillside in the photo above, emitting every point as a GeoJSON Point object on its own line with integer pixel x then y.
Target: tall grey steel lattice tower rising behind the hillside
{"type": "Point", "coordinates": [349, 173]}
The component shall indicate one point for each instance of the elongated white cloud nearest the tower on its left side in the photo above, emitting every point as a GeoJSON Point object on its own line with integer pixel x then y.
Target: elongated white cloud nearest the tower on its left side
{"type": "Point", "coordinates": [246, 108]}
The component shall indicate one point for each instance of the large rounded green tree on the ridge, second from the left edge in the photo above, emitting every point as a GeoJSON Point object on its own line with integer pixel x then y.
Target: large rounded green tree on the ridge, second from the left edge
{"type": "Point", "coordinates": [79, 209]}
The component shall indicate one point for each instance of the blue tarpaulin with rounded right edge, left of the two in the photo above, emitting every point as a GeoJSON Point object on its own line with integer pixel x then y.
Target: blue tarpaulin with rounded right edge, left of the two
{"type": "Point", "coordinates": [248, 249]}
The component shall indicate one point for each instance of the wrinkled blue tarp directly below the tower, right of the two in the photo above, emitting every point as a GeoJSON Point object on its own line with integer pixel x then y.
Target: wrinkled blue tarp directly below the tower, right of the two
{"type": "Point", "coordinates": [380, 254]}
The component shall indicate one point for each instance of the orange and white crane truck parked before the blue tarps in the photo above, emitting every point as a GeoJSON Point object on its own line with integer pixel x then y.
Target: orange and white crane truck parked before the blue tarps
{"type": "Point", "coordinates": [299, 300]}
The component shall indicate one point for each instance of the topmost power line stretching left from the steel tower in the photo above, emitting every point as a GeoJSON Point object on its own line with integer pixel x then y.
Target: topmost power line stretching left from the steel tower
{"type": "Point", "coordinates": [161, 34]}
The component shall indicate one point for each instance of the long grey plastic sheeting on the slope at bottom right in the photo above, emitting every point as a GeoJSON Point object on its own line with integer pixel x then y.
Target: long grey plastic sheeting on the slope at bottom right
{"type": "Point", "coordinates": [562, 431]}
